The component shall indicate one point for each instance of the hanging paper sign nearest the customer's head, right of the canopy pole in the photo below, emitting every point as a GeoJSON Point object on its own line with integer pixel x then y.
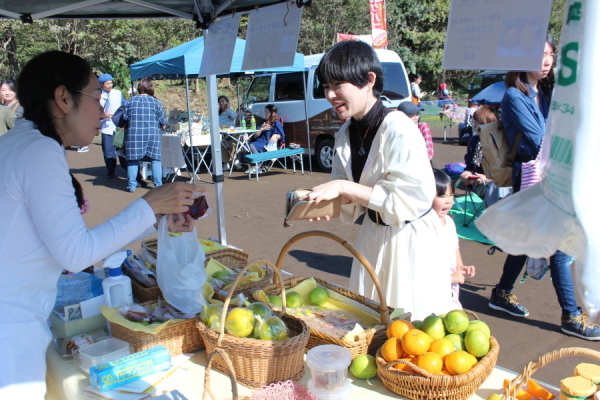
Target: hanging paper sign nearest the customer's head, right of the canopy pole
{"type": "Point", "coordinates": [272, 37]}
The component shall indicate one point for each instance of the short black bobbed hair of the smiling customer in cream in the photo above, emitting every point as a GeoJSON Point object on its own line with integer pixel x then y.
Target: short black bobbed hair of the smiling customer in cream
{"type": "Point", "coordinates": [351, 61]}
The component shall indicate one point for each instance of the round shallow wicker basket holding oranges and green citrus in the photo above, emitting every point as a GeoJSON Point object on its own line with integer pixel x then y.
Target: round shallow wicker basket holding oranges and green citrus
{"type": "Point", "coordinates": [427, 386]}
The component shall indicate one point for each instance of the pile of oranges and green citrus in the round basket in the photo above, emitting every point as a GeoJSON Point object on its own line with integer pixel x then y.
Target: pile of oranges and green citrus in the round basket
{"type": "Point", "coordinates": [447, 345]}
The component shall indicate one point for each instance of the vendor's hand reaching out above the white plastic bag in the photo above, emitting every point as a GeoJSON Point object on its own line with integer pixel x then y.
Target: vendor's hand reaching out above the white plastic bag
{"type": "Point", "coordinates": [172, 198]}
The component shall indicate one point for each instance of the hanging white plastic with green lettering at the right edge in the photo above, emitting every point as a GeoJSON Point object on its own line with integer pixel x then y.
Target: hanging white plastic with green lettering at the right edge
{"type": "Point", "coordinates": [559, 213]}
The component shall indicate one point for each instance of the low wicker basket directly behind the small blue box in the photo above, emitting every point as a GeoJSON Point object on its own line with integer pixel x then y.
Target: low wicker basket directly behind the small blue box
{"type": "Point", "coordinates": [181, 337]}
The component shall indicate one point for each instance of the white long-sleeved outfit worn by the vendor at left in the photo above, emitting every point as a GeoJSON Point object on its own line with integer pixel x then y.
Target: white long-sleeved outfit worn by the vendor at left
{"type": "Point", "coordinates": [42, 232]}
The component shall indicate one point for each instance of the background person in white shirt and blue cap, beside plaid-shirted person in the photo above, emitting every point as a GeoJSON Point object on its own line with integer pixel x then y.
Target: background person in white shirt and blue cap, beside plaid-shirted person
{"type": "Point", "coordinates": [111, 100]}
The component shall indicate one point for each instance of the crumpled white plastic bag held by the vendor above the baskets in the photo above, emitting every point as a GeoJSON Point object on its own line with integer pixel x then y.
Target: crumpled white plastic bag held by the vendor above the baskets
{"type": "Point", "coordinates": [180, 269]}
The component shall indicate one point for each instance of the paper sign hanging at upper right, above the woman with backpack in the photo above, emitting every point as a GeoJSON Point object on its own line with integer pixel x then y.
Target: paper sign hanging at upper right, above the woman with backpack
{"type": "Point", "coordinates": [496, 34]}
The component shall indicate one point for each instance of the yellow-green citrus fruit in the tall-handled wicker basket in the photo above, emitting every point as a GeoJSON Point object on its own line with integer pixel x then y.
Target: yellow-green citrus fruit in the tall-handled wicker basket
{"type": "Point", "coordinates": [255, 321]}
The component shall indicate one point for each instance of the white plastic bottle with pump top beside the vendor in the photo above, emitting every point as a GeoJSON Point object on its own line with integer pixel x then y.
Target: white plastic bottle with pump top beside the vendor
{"type": "Point", "coordinates": [117, 287]}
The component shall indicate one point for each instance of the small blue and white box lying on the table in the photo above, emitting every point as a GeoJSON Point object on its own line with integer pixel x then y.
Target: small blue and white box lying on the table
{"type": "Point", "coordinates": [130, 368]}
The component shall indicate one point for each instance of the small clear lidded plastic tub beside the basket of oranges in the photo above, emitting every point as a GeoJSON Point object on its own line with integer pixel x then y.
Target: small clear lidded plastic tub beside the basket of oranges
{"type": "Point", "coordinates": [328, 365]}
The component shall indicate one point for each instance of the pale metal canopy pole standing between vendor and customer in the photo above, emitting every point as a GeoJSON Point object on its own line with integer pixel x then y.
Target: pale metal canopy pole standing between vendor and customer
{"type": "Point", "coordinates": [215, 148]}
